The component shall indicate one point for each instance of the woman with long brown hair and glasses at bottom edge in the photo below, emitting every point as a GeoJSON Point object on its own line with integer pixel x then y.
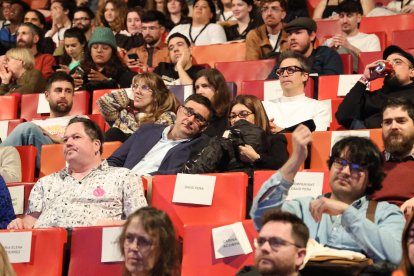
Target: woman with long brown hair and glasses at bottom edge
{"type": "Point", "coordinates": [148, 244]}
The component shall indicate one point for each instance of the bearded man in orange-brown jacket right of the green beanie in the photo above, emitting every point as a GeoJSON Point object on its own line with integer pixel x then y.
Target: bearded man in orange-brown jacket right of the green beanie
{"type": "Point", "coordinates": [154, 49]}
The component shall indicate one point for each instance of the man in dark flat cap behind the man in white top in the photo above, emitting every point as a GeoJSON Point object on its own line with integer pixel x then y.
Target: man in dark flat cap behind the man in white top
{"type": "Point", "coordinates": [301, 36]}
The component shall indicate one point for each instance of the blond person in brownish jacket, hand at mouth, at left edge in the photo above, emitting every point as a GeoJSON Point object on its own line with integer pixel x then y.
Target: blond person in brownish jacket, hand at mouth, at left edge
{"type": "Point", "coordinates": [17, 73]}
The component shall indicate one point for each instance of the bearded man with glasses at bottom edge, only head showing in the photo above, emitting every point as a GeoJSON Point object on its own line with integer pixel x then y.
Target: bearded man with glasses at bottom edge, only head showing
{"type": "Point", "coordinates": [280, 246]}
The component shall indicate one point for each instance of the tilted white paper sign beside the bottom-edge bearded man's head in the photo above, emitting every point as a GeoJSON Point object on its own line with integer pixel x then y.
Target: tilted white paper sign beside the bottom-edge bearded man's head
{"type": "Point", "coordinates": [230, 240]}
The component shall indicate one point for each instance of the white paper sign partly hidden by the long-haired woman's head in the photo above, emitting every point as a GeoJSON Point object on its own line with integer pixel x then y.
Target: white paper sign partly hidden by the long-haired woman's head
{"type": "Point", "coordinates": [110, 245]}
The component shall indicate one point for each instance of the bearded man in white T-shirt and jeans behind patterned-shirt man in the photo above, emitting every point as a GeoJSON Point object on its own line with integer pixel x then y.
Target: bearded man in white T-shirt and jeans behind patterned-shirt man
{"type": "Point", "coordinates": [59, 93]}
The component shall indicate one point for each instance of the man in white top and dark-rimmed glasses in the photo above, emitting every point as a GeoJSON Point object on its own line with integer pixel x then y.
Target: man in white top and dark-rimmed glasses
{"type": "Point", "coordinates": [294, 107]}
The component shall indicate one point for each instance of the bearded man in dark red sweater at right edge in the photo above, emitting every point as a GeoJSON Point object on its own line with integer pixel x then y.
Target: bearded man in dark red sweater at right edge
{"type": "Point", "coordinates": [398, 136]}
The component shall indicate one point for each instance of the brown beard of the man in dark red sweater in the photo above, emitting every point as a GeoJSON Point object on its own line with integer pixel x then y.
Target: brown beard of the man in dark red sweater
{"type": "Point", "coordinates": [398, 144]}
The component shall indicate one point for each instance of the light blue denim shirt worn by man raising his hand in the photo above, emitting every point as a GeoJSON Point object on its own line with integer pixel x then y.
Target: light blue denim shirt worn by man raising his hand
{"type": "Point", "coordinates": [351, 230]}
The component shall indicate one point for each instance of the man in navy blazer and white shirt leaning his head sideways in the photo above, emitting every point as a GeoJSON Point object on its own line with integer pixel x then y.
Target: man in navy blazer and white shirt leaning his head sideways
{"type": "Point", "coordinates": [159, 149]}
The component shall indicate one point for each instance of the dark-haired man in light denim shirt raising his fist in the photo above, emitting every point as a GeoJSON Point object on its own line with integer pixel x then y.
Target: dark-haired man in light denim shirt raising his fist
{"type": "Point", "coordinates": [346, 218]}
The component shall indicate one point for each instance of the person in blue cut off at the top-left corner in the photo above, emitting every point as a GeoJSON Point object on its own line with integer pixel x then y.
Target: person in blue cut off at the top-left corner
{"type": "Point", "coordinates": [8, 33]}
